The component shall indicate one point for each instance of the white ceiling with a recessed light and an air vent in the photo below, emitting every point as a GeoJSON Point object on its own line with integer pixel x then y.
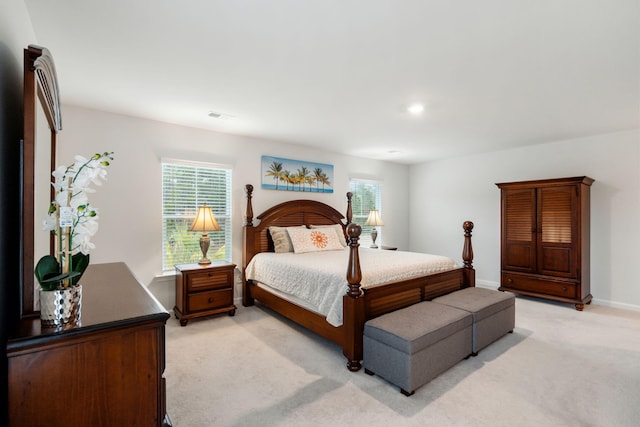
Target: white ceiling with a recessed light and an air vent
{"type": "Point", "coordinates": [338, 74]}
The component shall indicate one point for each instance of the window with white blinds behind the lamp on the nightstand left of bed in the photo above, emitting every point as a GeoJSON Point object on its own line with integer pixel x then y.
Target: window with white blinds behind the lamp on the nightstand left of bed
{"type": "Point", "coordinates": [185, 187]}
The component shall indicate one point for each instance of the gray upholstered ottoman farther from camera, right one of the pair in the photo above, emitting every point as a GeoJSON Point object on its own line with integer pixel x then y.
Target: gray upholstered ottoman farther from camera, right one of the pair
{"type": "Point", "coordinates": [494, 313]}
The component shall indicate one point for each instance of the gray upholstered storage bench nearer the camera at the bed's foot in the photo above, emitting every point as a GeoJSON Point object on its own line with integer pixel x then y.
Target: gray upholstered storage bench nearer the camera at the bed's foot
{"type": "Point", "coordinates": [411, 346]}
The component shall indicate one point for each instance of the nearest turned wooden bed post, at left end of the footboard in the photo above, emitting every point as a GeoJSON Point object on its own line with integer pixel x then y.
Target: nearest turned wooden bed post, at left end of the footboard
{"type": "Point", "coordinates": [353, 315]}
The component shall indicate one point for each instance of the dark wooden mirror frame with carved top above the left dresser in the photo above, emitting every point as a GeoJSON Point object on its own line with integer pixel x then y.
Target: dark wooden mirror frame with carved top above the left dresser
{"type": "Point", "coordinates": [40, 90]}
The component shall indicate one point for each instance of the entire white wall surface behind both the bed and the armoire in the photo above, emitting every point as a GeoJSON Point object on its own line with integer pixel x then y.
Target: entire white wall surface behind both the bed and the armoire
{"type": "Point", "coordinates": [442, 194]}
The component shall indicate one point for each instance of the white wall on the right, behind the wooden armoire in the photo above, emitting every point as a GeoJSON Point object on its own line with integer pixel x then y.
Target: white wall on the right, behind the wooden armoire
{"type": "Point", "coordinates": [445, 193]}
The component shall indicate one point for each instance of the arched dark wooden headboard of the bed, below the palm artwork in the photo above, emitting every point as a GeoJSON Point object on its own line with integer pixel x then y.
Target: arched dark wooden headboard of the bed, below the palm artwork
{"type": "Point", "coordinates": [256, 238]}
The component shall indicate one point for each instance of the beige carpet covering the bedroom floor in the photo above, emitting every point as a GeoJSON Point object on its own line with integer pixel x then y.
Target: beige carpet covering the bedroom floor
{"type": "Point", "coordinates": [560, 367]}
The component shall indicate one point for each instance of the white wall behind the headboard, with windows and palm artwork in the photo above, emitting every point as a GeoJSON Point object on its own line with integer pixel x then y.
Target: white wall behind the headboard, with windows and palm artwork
{"type": "Point", "coordinates": [130, 201]}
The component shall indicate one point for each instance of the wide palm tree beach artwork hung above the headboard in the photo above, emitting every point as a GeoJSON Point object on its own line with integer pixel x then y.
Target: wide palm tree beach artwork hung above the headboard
{"type": "Point", "coordinates": [296, 175]}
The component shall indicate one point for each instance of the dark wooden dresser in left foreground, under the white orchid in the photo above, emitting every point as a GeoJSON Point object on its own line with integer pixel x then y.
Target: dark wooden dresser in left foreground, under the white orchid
{"type": "Point", "coordinates": [108, 371]}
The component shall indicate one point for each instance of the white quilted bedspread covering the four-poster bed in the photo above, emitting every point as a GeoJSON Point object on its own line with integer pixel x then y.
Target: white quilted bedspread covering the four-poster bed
{"type": "Point", "coordinates": [318, 279]}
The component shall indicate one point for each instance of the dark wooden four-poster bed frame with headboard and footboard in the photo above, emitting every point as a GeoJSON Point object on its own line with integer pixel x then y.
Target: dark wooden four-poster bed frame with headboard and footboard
{"type": "Point", "coordinates": [358, 303]}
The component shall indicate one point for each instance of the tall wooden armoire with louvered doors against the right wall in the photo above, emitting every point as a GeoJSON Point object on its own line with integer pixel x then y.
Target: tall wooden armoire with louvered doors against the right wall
{"type": "Point", "coordinates": [544, 241]}
